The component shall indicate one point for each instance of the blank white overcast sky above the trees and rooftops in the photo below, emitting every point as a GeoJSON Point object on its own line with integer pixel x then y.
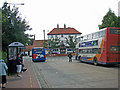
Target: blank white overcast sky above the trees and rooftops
{"type": "Point", "coordinates": [83, 15]}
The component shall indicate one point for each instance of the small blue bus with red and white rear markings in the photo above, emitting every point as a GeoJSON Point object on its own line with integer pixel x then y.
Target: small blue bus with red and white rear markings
{"type": "Point", "coordinates": [38, 54]}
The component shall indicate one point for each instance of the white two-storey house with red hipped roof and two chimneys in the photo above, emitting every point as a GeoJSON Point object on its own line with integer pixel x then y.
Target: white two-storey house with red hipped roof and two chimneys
{"type": "Point", "coordinates": [61, 38]}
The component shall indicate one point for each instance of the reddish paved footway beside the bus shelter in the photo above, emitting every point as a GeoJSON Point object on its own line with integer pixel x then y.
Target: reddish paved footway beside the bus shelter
{"type": "Point", "coordinates": [27, 81]}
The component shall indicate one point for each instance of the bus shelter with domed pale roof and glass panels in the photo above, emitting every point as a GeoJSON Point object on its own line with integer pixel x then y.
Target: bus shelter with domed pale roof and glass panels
{"type": "Point", "coordinates": [13, 49]}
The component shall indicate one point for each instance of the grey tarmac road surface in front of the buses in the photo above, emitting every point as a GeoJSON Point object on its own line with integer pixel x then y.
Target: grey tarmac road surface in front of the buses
{"type": "Point", "coordinates": [57, 72]}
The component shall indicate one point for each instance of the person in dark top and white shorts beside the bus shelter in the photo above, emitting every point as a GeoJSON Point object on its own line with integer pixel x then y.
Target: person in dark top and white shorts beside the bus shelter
{"type": "Point", "coordinates": [19, 65]}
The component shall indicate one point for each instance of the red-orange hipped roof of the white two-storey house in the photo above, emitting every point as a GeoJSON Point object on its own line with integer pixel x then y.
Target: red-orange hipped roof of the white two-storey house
{"type": "Point", "coordinates": [64, 31]}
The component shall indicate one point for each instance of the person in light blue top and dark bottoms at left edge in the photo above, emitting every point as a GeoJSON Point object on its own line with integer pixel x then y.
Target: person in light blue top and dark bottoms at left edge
{"type": "Point", "coordinates": [3, 73]}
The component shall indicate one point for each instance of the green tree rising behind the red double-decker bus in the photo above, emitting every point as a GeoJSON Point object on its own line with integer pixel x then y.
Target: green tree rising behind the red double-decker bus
{"type": "Point", "coordinates": [109, 20]}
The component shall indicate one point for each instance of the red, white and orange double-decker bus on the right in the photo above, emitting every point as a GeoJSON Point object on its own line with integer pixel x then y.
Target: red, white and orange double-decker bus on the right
{"type": "Point", "coordinates": [102, 47]}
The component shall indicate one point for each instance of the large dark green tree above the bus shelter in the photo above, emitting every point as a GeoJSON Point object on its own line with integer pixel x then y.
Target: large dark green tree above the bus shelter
{"type": "Point", "coordinates": [13, 27]}
